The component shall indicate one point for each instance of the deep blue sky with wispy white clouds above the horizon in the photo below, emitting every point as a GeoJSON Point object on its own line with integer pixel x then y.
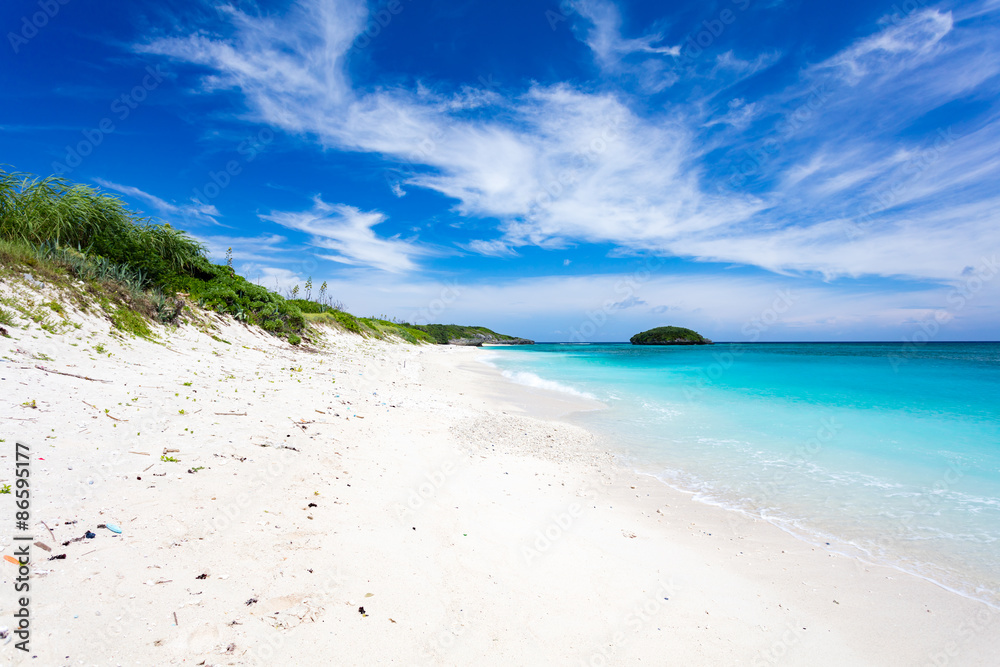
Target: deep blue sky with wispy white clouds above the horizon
{"type": "Point", "coordinates": [577, 171]}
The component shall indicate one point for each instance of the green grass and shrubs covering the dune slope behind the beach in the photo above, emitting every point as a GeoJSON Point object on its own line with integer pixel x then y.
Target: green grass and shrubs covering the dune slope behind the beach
{"type": "Point", "coordinates": [140, 270]}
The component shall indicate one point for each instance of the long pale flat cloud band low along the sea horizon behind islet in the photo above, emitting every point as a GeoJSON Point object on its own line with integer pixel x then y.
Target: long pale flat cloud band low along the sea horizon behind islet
{"type": "Point", "coordinates": [724, 307]}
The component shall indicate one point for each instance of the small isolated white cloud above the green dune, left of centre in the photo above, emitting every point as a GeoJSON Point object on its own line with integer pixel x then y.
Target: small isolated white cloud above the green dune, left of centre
{"type": "Point", "coordinates": [347, 232]}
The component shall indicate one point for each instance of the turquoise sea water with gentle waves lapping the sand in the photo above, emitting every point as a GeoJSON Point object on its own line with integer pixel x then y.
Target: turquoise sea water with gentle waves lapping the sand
{"type": "Point", "coordinates": [888, 454]}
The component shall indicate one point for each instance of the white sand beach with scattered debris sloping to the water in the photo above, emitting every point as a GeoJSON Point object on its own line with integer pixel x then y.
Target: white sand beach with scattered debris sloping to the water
{"type": "Point", "coordinates": [413, 482]}
